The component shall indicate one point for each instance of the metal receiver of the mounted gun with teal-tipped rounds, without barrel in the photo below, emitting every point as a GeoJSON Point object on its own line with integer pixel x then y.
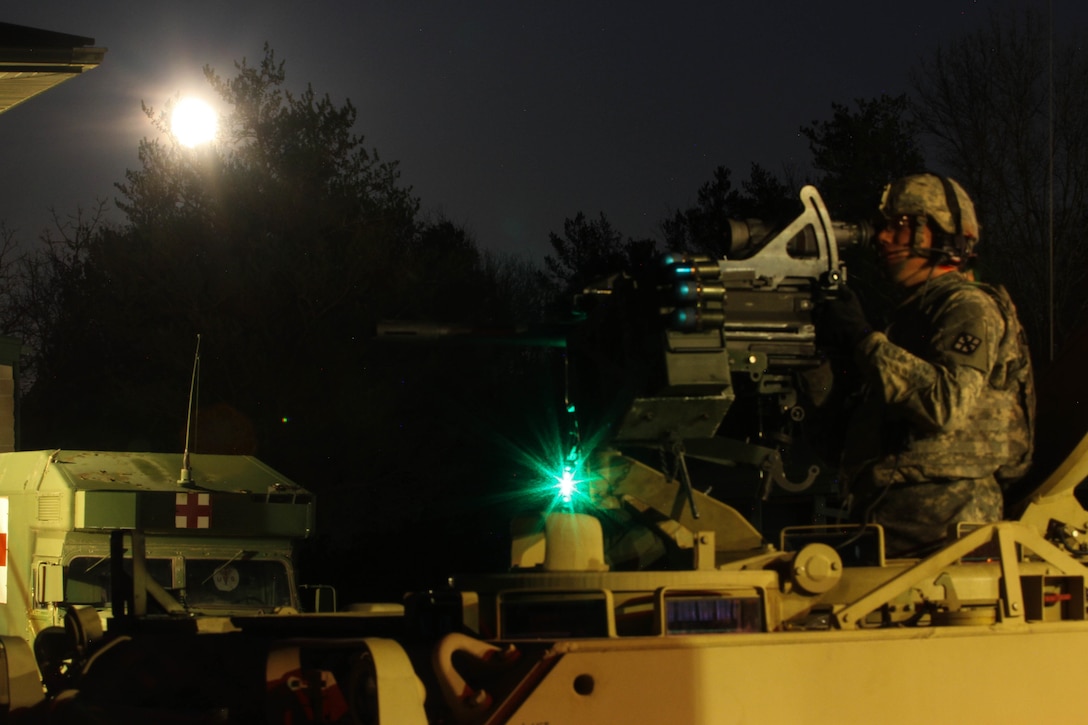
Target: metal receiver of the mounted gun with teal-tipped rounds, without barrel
{"type": "Point", "coordinates": [749, 316]}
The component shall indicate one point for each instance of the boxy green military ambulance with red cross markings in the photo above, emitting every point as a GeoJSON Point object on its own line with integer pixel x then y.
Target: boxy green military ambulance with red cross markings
{"type": "Point", "coordinates": [221, 543]}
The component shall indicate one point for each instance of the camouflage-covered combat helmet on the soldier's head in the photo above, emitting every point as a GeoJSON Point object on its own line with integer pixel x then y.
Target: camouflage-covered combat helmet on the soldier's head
{"type": "Point", "coordinates": [943, 203]}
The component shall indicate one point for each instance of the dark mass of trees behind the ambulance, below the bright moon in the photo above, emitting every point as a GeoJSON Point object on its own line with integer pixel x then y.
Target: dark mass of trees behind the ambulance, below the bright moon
{"type": "Point", "coordinates": [283, 245]}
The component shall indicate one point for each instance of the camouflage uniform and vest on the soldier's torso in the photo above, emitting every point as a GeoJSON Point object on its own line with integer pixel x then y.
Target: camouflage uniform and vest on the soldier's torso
{"type": "Point", "coordinates": [947, 417]}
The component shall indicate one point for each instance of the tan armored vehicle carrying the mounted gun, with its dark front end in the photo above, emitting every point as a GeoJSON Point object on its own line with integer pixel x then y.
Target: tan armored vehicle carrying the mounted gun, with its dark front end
{"type": "Point", "coordinates": [635, 595]}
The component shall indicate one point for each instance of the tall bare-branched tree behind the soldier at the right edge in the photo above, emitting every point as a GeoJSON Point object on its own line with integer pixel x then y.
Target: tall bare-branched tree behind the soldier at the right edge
{"type": "Point", "coordinates": [1007, 110]}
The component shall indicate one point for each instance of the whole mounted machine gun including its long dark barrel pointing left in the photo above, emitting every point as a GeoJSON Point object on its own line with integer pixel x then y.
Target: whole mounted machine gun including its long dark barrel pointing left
{"type": "Point", "coordinates": [661, 360]}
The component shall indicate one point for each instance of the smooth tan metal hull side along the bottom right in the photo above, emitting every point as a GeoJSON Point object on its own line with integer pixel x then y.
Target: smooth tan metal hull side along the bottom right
{"type": "Point", "coordinates": [928, 675]}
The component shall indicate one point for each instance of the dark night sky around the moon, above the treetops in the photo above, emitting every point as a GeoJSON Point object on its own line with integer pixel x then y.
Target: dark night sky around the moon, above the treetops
{"type": "Point", "coordinates": [508, 118]}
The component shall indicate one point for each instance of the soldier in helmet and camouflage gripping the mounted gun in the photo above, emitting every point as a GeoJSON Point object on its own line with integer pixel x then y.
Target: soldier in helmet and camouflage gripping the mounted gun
{"type": "Point", "coordinates": [946, 415]}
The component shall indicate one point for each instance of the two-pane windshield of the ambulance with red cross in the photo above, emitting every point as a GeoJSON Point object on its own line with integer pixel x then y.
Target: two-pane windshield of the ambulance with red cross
{"type": "Point", "coordinates": [226, 584]}
